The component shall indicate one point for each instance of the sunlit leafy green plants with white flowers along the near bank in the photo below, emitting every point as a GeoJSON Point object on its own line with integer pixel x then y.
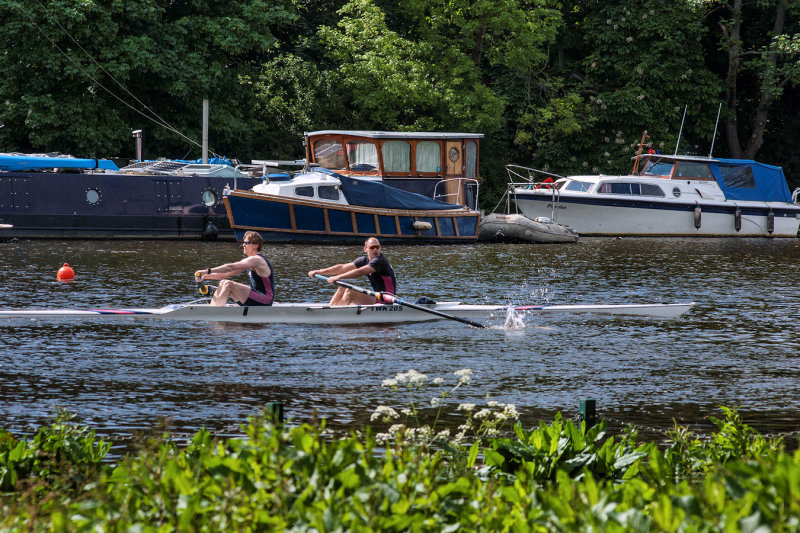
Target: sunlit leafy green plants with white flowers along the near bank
{"type": "Point", "coordinates": [556, 477]}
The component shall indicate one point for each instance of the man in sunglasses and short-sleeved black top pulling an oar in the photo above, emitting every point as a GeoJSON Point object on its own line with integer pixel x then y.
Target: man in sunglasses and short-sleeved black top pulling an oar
{"type": "Point", "coordinates": [373, 265]}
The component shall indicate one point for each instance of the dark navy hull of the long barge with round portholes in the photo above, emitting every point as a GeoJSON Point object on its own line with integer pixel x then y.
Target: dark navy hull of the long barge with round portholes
{"type": "Point", "coordinates": [115, 205]}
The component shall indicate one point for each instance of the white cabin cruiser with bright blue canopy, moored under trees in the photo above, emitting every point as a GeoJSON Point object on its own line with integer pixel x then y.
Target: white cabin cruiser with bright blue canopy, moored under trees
{"type": "Point", "coordinates": [665, 195]}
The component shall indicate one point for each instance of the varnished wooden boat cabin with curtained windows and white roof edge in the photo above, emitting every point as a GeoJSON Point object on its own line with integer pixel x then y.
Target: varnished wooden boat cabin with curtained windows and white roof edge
{"type": "Point", "coordinates": [438, 165]}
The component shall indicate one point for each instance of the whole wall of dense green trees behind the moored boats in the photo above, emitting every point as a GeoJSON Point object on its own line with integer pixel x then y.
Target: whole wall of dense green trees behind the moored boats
{"type": "Point", "coordinates": [569, 87]}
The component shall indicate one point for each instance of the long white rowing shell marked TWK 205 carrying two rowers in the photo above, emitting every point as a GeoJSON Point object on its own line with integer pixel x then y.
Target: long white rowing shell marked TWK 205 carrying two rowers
{"type": "Point", "coordinates": [307, 313]}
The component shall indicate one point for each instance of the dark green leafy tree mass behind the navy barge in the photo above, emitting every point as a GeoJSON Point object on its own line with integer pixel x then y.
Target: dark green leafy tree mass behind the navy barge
{"type": "Point", "coordinates": [79, 76]}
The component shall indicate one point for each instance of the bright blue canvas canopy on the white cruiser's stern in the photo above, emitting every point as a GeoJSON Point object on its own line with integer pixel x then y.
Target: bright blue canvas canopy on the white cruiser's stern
{"type": "Point", "coordinates": [743, 179]}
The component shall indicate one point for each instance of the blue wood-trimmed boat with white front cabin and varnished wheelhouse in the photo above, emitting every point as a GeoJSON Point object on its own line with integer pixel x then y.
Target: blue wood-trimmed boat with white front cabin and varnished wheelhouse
{"type": "Point", "coordinates": [399, 186]}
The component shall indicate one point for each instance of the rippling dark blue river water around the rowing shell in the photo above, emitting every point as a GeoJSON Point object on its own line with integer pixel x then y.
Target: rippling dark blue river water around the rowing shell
{"type": "Point", "coordinates": [738, 347]}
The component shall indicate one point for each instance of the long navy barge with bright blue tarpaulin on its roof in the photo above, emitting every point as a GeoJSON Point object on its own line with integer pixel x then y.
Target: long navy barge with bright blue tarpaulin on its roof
{"type": "Point", "coordinates": [57, 196]}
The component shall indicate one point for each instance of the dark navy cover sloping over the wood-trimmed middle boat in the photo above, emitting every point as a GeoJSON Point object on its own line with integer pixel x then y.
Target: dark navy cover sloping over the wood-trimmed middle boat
{"type": "Point", "coordinates": [369, 193]}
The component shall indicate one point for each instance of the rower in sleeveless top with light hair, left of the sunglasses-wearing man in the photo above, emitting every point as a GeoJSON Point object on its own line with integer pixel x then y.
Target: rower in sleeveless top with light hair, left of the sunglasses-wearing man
{"type": "Point", "coordinates": [262, 282]}
